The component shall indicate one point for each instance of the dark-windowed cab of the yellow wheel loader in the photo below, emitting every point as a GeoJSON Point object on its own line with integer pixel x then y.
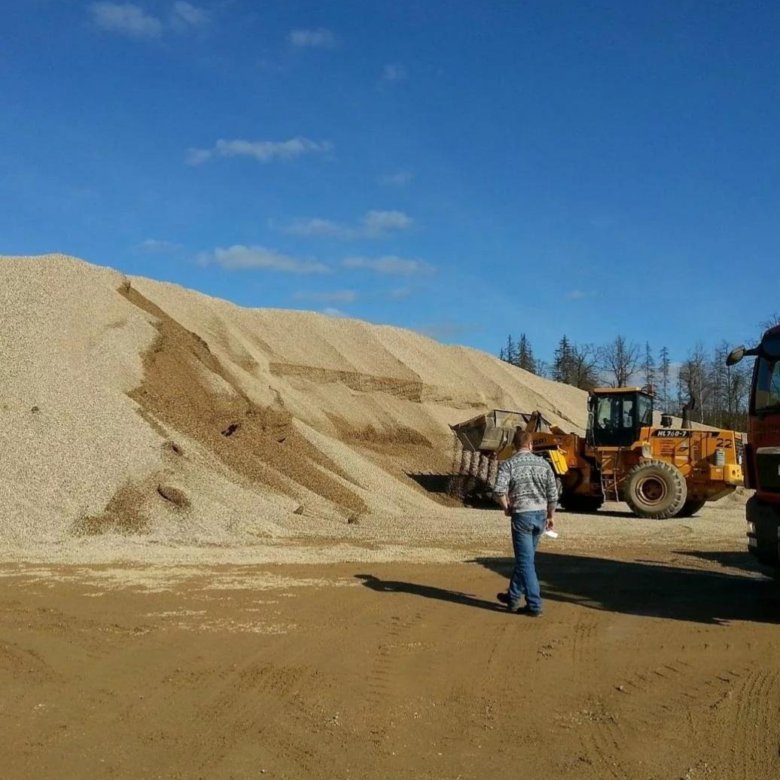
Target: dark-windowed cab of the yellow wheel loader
{"type": "Point", "coordinates": [617, 414]}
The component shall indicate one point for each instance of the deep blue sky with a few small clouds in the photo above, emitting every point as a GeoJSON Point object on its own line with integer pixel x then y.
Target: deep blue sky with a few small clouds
{"type": "Point", "coordinates": [466, 169]}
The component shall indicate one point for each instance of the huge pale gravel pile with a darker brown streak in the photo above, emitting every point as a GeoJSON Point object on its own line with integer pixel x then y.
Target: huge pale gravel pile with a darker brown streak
{"type": "Point", "coordinates": [134, 407]}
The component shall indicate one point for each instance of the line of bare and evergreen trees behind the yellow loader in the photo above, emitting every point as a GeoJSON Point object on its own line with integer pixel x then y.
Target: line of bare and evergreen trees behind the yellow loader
{"type": "Point", "coordinates": [719, 392]}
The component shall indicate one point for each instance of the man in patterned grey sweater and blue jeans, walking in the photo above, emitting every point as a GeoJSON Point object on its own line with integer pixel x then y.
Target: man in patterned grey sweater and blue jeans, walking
{"type": "Point", "coordinates": [527, 491]}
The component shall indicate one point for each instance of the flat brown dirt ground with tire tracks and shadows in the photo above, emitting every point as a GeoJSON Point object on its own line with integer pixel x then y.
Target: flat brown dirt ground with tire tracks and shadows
{"type": "Point", "coordinates": [657, 657]}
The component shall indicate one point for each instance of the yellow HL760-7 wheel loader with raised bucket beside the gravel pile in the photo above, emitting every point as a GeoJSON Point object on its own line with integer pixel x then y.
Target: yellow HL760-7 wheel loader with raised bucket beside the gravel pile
{"type": "Point", "coordinates": [659, 471]}
